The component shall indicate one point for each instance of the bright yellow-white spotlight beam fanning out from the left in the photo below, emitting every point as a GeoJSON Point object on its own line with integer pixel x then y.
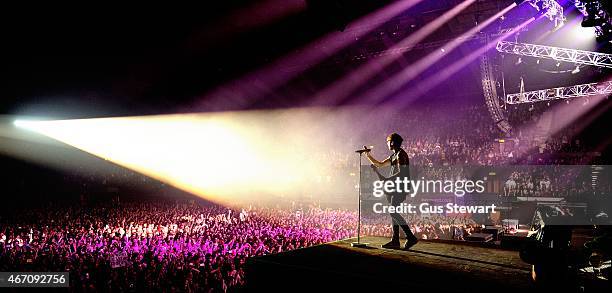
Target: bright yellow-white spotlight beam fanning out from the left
{"type": "Point", "coordinates": [221, 157]}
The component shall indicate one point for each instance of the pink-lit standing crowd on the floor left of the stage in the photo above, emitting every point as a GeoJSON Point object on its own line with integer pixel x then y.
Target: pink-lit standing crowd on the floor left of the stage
{"type": "Point", "coordinates": [175, 246]}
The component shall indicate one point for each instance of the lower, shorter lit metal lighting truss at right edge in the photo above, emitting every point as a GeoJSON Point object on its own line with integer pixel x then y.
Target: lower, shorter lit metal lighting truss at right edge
{"type": "Point", "coordinates": [581, 90]}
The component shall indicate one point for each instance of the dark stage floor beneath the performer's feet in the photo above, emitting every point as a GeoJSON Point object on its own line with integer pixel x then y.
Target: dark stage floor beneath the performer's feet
{"type": "Point", "coordinates": [434, 266]}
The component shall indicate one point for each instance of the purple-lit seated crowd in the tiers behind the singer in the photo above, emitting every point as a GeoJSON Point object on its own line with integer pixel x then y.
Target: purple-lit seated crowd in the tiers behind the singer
{"type": "Point", "coordinates": [466, 135]}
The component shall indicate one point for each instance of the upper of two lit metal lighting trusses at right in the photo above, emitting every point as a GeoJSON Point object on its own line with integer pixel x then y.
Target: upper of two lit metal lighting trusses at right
{"type": "Point", "coordinates": [556, 53]}
